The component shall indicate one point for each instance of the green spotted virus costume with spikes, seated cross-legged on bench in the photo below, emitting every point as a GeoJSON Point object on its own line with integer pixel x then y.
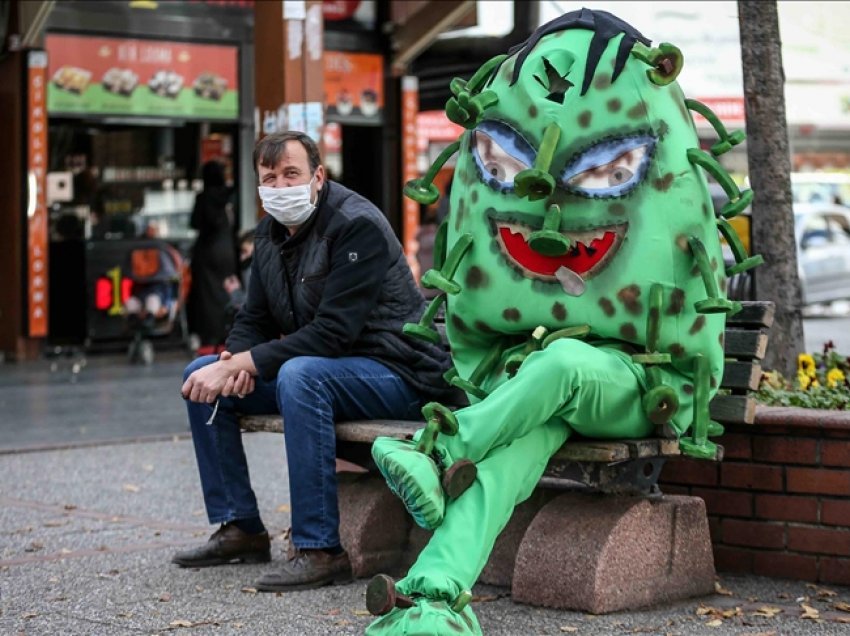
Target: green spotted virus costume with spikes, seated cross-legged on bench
{"type": "Point", "coordinates": [584, 290]}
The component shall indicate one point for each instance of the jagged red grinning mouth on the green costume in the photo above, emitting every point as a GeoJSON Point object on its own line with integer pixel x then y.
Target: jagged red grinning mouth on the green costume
{"type": "Point", "coordinates": [590, 253]}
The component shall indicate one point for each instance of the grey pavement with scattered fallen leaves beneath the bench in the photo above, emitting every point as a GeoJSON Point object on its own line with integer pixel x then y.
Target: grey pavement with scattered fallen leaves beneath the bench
{"type": "Point", "coordinates": [87, 530]}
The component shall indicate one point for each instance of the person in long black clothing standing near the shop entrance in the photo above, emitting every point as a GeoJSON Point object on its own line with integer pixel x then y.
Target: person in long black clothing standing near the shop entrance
{"type": "Point", "coordinates": [213, 256]}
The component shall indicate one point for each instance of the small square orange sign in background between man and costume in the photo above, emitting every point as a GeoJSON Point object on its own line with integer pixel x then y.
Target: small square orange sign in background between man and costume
{"type": "Point", "coordinates": [354, 87]}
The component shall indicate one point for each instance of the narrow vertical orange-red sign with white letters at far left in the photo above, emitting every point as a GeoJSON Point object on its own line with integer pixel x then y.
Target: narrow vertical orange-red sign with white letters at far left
{"type": "Point", "coordinates": [36, 195]}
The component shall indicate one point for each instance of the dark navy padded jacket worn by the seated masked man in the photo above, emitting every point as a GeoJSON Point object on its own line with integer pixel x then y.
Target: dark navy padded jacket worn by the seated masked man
{"type": "Point", "coordinates": [339, 287]}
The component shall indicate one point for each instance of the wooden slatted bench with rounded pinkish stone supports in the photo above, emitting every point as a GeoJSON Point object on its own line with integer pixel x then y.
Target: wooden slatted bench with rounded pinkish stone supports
{"type": "Point", "coordinates": [612, 542]}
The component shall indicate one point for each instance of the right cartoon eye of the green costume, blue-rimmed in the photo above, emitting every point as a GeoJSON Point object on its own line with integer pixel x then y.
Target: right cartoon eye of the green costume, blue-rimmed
{"type": "Point", "coordinates": [611, 168]}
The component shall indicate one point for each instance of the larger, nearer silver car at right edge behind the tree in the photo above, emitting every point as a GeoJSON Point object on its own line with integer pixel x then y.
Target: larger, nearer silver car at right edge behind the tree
{"type": "Point", "coordinates": [822, 231]}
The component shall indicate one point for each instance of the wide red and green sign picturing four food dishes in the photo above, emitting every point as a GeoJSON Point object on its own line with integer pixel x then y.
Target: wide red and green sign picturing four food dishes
{"type": "Point", "coordinates": [151, 78]}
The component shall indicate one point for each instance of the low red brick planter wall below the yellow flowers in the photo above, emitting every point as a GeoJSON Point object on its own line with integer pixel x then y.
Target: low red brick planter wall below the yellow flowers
{"type": "Point", "coordinates": [779, 503]}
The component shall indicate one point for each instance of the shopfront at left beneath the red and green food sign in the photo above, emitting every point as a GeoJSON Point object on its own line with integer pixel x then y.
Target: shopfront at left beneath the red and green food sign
{"type": "Point", "coordinates": [137, 101]}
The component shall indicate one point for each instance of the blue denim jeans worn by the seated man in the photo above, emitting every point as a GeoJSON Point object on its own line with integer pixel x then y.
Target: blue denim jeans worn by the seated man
{"type": "Point", "coordinates": [311, 393]}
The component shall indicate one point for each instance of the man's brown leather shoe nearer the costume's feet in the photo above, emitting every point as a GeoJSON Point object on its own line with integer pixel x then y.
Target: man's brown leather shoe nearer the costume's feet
{"type": "Point", "coordinates": [306, 569]}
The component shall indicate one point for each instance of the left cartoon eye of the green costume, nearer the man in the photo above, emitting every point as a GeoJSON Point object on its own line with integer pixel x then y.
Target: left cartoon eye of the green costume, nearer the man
{"type": "Point", "coordinates": [501, 153]}
